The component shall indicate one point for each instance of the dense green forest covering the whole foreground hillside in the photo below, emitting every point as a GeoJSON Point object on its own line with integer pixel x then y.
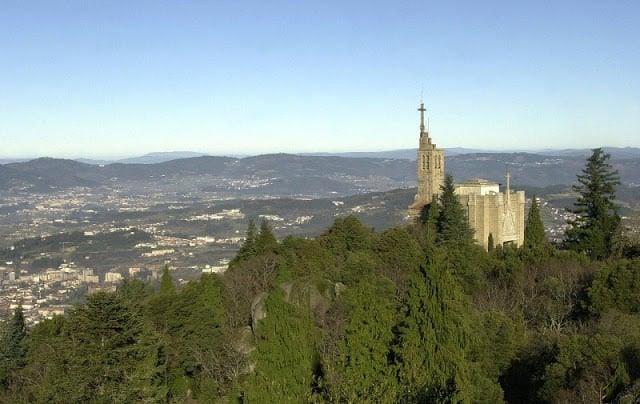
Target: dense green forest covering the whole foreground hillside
{"type": "Point", "coordinates": [414, 314]}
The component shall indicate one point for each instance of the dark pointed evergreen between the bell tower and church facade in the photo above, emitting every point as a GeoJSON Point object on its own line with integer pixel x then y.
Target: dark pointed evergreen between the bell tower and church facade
{"type": "Point", "coordinates": [452, 223]}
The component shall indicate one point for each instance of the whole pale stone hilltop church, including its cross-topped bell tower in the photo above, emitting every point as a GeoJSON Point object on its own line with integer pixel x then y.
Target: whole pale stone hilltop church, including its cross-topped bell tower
{"type": "Point", "coordinates": [490, 212]}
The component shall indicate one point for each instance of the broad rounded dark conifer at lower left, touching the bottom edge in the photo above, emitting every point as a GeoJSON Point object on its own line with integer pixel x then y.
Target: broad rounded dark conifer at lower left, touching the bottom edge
{"type": "Point", "coordinates": [101, 354]}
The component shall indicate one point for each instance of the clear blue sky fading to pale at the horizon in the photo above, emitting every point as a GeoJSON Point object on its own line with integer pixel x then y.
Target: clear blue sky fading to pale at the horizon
{"type": "Point", "coordinates": [105, 79]}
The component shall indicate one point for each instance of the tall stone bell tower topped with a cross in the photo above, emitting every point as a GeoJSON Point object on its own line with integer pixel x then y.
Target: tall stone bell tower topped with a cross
{"type": "Point", "coordinates": [430, 167]}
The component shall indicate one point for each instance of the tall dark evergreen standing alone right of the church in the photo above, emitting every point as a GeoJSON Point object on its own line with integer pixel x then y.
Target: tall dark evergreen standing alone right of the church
{"type": "Point", "coordinates": [597, 220]}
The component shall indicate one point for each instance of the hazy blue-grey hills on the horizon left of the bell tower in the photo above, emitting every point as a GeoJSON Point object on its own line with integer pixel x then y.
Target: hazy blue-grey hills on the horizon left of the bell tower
{"type": "Point", "coordinates": [44, 174]}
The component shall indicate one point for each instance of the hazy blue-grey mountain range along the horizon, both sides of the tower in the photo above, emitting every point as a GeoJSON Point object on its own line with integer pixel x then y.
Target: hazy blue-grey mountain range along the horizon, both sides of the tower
{"type": "Point", "coordinates": [340, 173]}
